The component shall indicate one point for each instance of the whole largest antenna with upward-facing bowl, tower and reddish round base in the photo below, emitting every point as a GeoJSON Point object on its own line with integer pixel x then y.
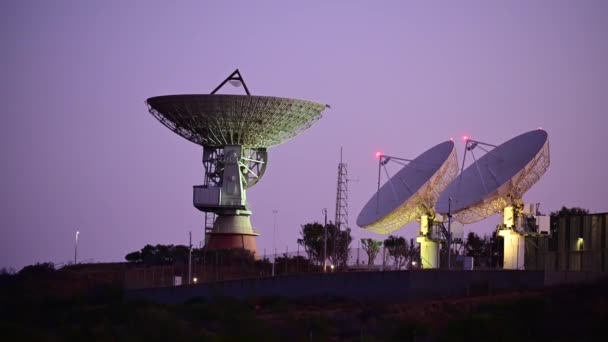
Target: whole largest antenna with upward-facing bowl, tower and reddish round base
{"type": "Point", "coordinates": [235, 132]}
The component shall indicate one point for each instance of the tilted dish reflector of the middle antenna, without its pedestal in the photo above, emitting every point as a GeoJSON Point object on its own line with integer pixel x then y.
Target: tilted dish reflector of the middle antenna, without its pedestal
{"type": "Point", "coordinates": [411, 192]}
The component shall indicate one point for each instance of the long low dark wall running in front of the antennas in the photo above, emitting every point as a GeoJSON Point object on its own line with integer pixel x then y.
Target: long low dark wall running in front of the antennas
{"type": "Point", "coordinates": [374, 286]}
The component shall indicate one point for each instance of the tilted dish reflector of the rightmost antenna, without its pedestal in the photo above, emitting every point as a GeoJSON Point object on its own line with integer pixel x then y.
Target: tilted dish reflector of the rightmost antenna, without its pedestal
{"type": "Point", "coordinates": [498, 179]}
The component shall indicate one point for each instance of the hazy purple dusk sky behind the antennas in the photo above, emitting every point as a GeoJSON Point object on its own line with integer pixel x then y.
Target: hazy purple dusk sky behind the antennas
{"type": "Point", "coordinates": [80, 151]}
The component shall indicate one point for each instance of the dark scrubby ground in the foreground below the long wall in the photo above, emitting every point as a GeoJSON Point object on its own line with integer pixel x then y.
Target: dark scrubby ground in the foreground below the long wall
{"type": "Point", "coordinates": [63, 305]}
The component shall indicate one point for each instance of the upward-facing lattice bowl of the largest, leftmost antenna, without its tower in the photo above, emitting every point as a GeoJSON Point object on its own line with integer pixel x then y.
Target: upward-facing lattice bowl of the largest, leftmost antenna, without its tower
{"type": "Point", "coordinates": [246, 120]}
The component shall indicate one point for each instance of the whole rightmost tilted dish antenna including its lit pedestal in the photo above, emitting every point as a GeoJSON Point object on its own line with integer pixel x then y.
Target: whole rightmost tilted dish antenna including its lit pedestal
{"type": "Point", "coordinates": [497, 182]}
